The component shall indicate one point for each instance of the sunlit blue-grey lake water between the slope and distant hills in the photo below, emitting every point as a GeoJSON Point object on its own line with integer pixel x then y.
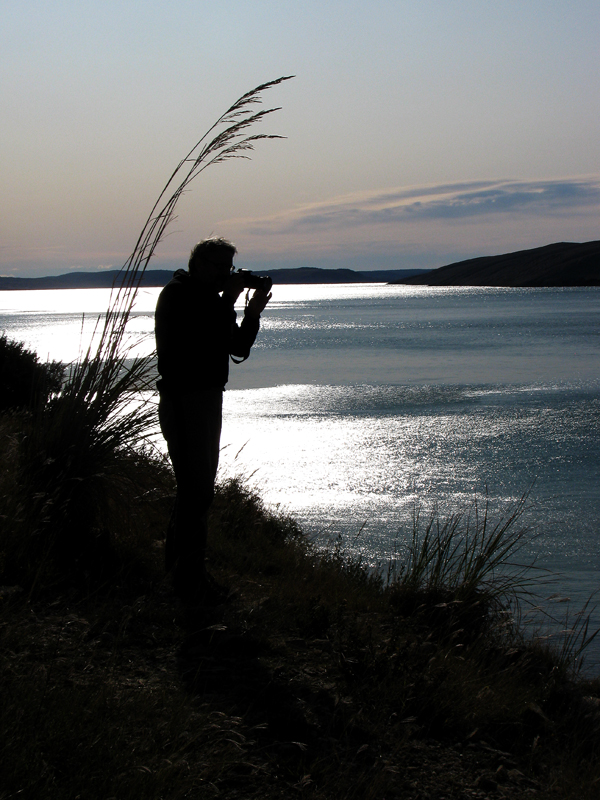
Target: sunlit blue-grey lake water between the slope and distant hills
{"type": "Point", "coordinates": [360, 403]}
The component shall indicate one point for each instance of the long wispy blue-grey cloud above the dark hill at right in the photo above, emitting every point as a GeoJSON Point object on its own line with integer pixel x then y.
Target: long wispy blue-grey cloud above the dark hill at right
{"type": "Point", "coordinates": [458, 201]}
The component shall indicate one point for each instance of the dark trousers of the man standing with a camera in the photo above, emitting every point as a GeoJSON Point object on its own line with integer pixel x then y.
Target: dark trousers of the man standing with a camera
{"type": "Point", "coordinates": [191, 425]}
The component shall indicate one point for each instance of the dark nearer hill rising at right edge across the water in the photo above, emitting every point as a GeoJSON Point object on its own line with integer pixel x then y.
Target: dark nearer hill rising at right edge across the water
{"type": "Point", "coordinates": [561, 264]}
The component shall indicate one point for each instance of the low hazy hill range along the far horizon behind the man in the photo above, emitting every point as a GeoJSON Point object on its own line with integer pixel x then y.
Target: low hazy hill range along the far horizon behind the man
{"type": "Point", "coordinates": [159, 277]}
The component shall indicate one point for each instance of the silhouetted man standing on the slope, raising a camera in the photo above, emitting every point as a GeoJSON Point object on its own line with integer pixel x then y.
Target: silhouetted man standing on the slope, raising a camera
{"type": "Point", "coordinates": [196, 332]}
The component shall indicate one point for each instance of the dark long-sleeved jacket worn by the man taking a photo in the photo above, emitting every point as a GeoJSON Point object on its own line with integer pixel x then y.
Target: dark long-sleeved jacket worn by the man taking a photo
{"type": "Point", "coordinates": [196, 331]}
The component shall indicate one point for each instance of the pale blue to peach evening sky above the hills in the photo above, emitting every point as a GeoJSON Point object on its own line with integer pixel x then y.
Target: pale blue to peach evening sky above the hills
{"type": "Point", "coordinates": [417, 132]}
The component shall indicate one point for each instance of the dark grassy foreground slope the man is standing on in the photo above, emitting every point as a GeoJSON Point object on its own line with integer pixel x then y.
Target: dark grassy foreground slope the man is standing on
{"type": "Point", "coordinates": [312, 681]}
